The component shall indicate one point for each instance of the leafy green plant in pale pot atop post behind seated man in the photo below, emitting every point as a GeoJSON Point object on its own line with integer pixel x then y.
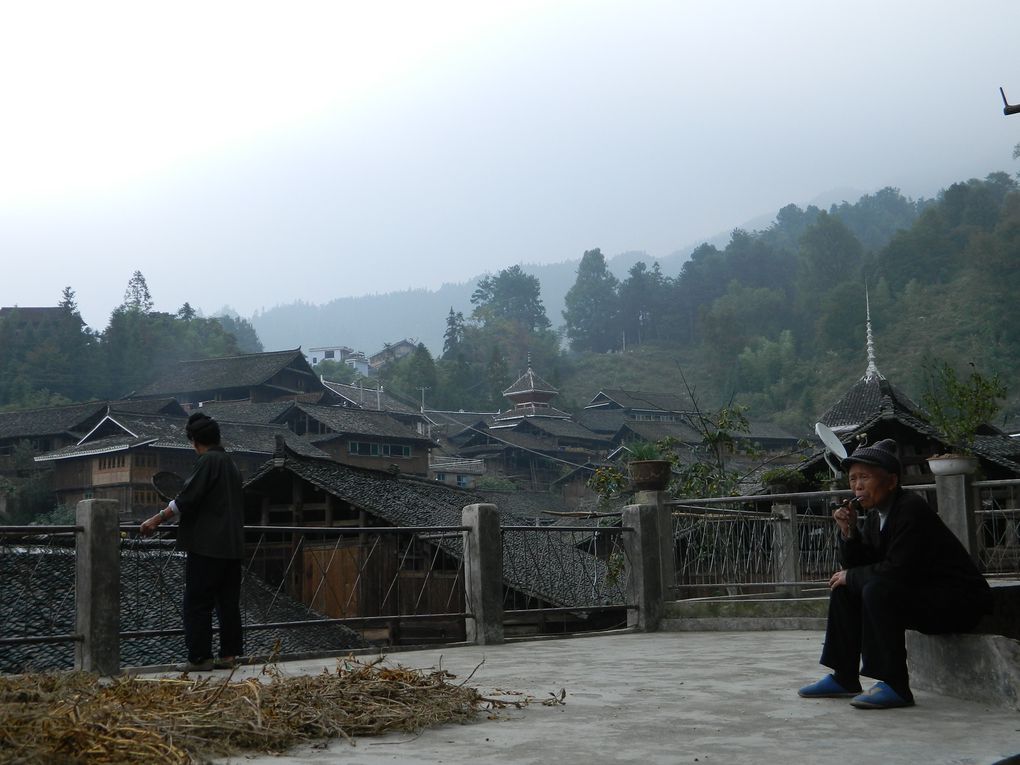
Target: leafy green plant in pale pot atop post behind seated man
{"type": "Point", "coordinates": [957, 410]}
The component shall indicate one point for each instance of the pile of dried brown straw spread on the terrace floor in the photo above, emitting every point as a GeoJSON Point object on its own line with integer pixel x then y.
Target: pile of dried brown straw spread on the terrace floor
{"type": "Point", "coordinates": [78, 719]}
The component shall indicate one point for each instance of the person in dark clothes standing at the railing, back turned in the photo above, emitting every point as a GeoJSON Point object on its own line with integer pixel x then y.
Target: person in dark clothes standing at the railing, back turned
{"type": "Point", "coordinates": [212, 532]}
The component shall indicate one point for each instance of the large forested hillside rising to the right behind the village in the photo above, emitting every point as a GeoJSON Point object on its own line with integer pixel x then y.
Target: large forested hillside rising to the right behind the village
{"type": "Point", "coordinates": [775, 320]}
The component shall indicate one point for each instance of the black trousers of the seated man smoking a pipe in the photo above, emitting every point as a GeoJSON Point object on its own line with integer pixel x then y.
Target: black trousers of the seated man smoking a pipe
{"type": "Point", "coordinates": [869, 624]}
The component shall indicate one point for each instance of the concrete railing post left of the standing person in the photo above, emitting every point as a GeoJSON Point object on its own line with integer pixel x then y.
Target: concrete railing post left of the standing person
{"type": "Point", "coordinates": [97, 588]}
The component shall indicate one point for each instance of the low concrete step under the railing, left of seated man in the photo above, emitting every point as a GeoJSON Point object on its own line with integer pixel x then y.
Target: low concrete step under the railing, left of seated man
{"type": "Point", "coordinates": [712, 615]}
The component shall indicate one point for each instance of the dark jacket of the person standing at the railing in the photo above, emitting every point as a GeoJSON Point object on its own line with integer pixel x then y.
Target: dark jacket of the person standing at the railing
{"type": "Point", "coordinates": [212, 507]}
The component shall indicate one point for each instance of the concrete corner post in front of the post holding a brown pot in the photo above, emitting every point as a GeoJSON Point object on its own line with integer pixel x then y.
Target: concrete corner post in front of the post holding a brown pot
{"type": "Point", "coordinates": [642, 548]}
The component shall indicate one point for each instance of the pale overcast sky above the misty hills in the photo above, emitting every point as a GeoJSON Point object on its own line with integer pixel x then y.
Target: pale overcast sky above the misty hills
{"type": "Point", "coordinates": [256, 154]}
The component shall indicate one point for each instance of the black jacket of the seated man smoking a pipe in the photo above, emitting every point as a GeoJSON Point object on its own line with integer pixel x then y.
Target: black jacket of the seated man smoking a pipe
{"type": "Point", "coordinates": [915, 548]}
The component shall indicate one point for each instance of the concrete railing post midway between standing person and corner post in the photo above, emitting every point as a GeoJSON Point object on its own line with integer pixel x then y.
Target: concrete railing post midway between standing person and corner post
{"type": "Point", "coordinates": [484, 575]}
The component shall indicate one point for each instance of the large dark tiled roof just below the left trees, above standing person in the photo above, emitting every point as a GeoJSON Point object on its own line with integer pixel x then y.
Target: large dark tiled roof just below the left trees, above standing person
{"type": "Point", "coordinates": [222, 374]}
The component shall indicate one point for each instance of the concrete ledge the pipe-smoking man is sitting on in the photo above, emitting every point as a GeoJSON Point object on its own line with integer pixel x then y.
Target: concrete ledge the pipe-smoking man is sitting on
{"type": "Point", "coordinates": [978, 668]}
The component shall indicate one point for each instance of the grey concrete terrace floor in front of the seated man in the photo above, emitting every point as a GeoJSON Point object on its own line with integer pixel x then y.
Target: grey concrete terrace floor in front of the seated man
{"type": "Point", "coordinates": [671, 698]}
